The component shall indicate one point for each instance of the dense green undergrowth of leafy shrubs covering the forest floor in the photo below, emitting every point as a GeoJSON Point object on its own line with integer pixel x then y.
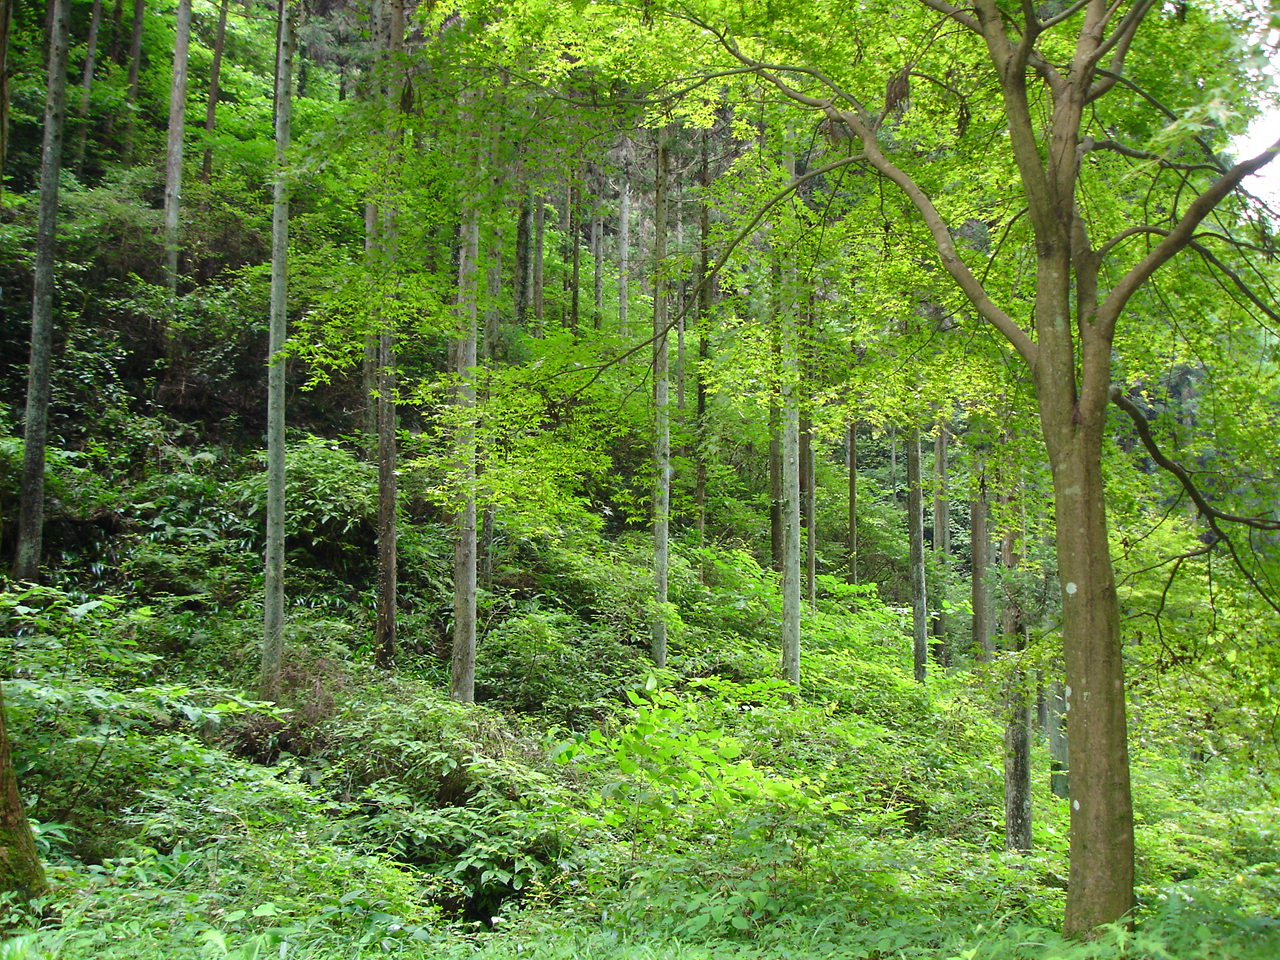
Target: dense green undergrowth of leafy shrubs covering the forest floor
{"type": "Point", "coordinates": [589, 806]}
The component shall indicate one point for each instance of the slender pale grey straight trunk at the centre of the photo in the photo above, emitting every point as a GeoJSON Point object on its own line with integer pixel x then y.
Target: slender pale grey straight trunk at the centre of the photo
{"type": "Point", "coordinates": [662, 412]}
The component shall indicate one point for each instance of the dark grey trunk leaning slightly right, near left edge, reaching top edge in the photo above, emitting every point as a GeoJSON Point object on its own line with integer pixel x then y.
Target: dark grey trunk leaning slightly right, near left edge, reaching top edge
{"type": "Point", "coordinates": [31, 511]}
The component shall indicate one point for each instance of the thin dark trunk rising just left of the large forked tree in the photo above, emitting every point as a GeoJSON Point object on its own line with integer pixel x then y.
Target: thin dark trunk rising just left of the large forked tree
{"type": "Point", "coordinates": [1018, 746]}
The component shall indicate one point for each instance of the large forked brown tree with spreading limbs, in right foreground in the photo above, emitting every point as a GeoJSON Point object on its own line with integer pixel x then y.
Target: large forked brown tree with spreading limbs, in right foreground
{"type": "Point", "coordinates": [1058, 75]}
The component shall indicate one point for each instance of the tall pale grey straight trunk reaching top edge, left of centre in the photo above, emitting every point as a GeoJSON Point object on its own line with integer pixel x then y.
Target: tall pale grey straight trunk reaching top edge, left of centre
{"type": "Point", "coordinates": [273, 607]}
